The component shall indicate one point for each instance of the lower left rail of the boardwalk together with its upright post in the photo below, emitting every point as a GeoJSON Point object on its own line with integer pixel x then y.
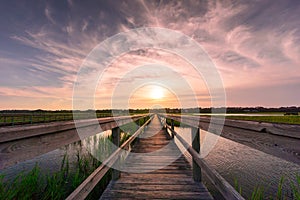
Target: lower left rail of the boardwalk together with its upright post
{"type": "Point", "coordinates": [88, 184]}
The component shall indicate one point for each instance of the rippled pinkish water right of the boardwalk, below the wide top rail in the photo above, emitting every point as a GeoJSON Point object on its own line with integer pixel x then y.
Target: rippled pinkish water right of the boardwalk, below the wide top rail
{"type": "Point", "coordinates": [249, 166]}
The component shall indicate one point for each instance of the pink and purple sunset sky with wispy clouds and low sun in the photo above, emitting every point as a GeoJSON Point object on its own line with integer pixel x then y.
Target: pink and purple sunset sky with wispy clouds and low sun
{"type": "Point", "coordinates": [254, 45]}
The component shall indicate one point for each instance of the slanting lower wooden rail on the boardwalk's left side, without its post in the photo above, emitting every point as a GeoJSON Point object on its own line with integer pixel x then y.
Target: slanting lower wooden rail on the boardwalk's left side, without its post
{"type": "Point", "coordinates": [82, 191]}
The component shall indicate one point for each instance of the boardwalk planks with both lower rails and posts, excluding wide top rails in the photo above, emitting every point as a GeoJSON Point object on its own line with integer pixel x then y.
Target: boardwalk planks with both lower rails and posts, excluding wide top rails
{"type": "Point", "coordinates": [156, 168]}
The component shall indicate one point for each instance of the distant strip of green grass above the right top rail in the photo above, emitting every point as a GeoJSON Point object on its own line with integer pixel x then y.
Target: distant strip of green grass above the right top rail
{"type": "Point", "coordinates": [271, 119]}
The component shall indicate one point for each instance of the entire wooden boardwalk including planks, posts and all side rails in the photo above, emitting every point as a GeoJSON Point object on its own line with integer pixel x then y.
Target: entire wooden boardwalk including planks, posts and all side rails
{"type": "Point", "coordinates": [155, 167]}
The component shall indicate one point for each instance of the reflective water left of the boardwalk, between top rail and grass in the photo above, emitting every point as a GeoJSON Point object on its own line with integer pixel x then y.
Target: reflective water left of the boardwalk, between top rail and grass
{"type": "Point", "coordinates": [51, 161]}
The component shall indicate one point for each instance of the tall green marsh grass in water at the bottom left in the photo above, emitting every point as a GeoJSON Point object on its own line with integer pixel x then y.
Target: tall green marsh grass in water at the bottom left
{"type": "Point", "coordinates": [35, 185]}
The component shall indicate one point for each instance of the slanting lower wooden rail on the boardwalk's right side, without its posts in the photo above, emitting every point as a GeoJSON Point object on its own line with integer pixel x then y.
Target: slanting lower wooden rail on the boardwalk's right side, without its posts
{"type": "Point", "coordinates": [219, 182]}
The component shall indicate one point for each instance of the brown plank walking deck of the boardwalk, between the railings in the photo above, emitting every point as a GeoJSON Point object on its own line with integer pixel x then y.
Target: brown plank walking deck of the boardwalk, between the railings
{"type": "Point", "coordinates": [173, 179]}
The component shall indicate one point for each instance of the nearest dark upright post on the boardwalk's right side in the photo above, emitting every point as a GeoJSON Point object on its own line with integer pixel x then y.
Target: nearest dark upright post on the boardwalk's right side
{"type": "Point", "coordinates": [196, 146]}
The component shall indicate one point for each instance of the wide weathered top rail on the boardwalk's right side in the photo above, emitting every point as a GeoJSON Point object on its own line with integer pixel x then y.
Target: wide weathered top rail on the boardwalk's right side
{"type": "Point", "coordinates": [282, 141]}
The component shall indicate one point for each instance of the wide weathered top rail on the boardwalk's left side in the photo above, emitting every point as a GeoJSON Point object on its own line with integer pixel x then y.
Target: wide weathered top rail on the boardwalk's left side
{"type": "Point", "coordinates": [26, 142]}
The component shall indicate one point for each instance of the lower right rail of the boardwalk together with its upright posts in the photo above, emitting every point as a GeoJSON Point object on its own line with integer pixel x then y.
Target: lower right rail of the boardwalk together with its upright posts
{"type": "Point", "coordinates": [227, 191]}
